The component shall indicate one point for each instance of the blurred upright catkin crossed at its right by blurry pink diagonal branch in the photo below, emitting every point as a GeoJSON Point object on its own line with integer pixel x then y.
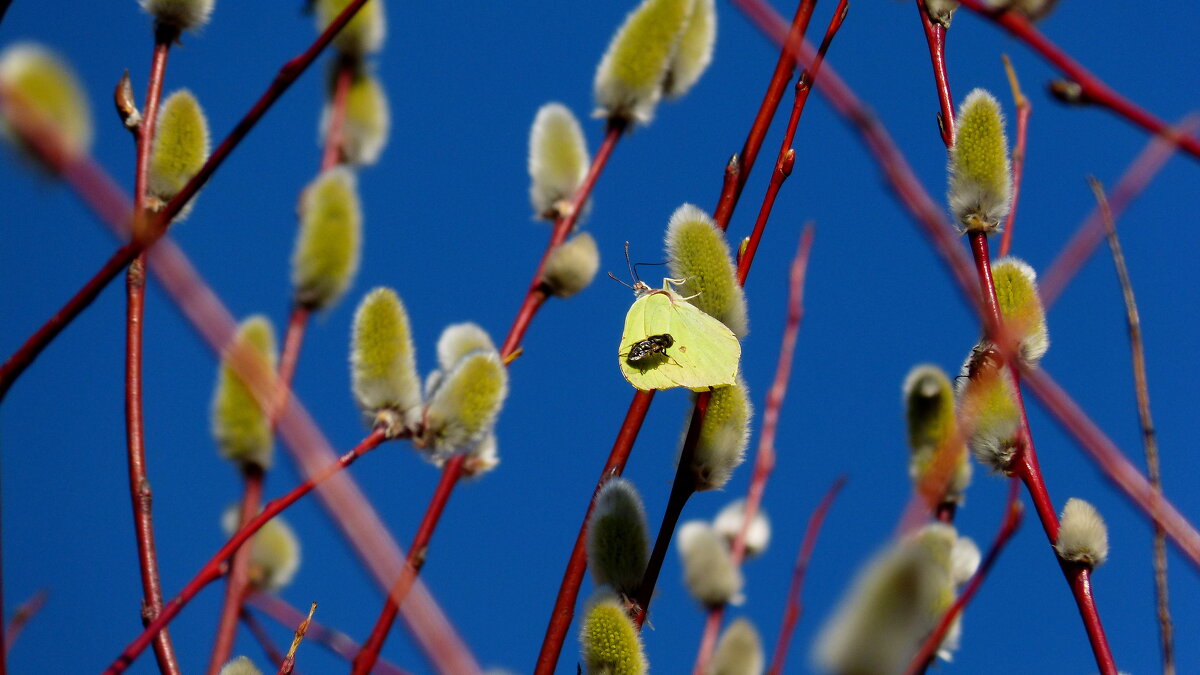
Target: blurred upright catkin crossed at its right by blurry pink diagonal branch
{"type": "Point", "coordinates": [241, 426]}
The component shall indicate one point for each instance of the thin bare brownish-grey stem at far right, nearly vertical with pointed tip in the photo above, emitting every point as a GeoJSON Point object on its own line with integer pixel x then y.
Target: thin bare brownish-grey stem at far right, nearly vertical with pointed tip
{"type": "Point", "coordinates": [1149, 437]}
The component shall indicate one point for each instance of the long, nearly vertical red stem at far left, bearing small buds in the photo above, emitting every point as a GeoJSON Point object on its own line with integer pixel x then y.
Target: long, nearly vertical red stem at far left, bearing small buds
{"type": "Point", "coordinates": [141, 495]}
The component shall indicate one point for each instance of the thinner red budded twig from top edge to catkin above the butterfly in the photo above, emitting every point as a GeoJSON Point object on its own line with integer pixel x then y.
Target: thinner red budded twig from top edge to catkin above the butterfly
{"type": "Point", "coordinates": [739, 170]}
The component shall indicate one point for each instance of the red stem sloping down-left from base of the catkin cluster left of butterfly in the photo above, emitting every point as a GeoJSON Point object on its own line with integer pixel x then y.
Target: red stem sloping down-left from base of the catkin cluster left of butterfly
{"type": "Point", "coordinates": [215, 568]}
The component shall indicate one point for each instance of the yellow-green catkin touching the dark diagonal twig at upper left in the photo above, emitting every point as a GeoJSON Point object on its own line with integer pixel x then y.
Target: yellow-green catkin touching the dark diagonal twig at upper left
{"type": "Point", "coordinates": [181, 146]}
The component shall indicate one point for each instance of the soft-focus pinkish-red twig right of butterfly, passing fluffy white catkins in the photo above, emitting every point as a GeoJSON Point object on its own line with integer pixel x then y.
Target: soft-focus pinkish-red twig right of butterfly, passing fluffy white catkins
{"type": "Point", "coordinates": [765, 459]}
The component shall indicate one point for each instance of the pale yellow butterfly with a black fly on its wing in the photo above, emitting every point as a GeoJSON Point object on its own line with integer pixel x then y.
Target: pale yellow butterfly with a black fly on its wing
{"type": "Point", "coordinates": [670, 343]}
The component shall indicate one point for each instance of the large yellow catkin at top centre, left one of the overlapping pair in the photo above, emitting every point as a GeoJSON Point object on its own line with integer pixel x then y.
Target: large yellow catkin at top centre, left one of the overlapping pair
{"type": "Point", "coordinates": [629, 80]}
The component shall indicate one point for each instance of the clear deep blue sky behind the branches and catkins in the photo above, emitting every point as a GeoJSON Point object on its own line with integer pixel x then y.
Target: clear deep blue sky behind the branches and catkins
{"type": "Point", "coordinates": [448, 225]}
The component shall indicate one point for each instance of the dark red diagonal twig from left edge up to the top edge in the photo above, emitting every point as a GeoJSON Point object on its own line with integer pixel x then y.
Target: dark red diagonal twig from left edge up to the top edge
{"type": "Point", "coordinates": [151, 232]}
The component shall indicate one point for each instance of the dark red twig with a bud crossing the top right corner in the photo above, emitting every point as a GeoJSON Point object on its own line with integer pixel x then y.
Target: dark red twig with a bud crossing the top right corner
{"type": "Point", "coordinates": [1093, 88]}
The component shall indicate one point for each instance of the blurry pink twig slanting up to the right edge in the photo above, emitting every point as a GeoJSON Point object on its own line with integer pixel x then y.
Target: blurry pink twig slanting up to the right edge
{"type": "Point", "coordinates": [1090, 235]}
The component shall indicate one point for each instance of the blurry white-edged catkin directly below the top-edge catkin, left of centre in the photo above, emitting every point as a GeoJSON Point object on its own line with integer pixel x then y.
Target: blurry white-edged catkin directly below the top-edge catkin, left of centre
{"type": "Point", "coordinates": [368, 120]}
